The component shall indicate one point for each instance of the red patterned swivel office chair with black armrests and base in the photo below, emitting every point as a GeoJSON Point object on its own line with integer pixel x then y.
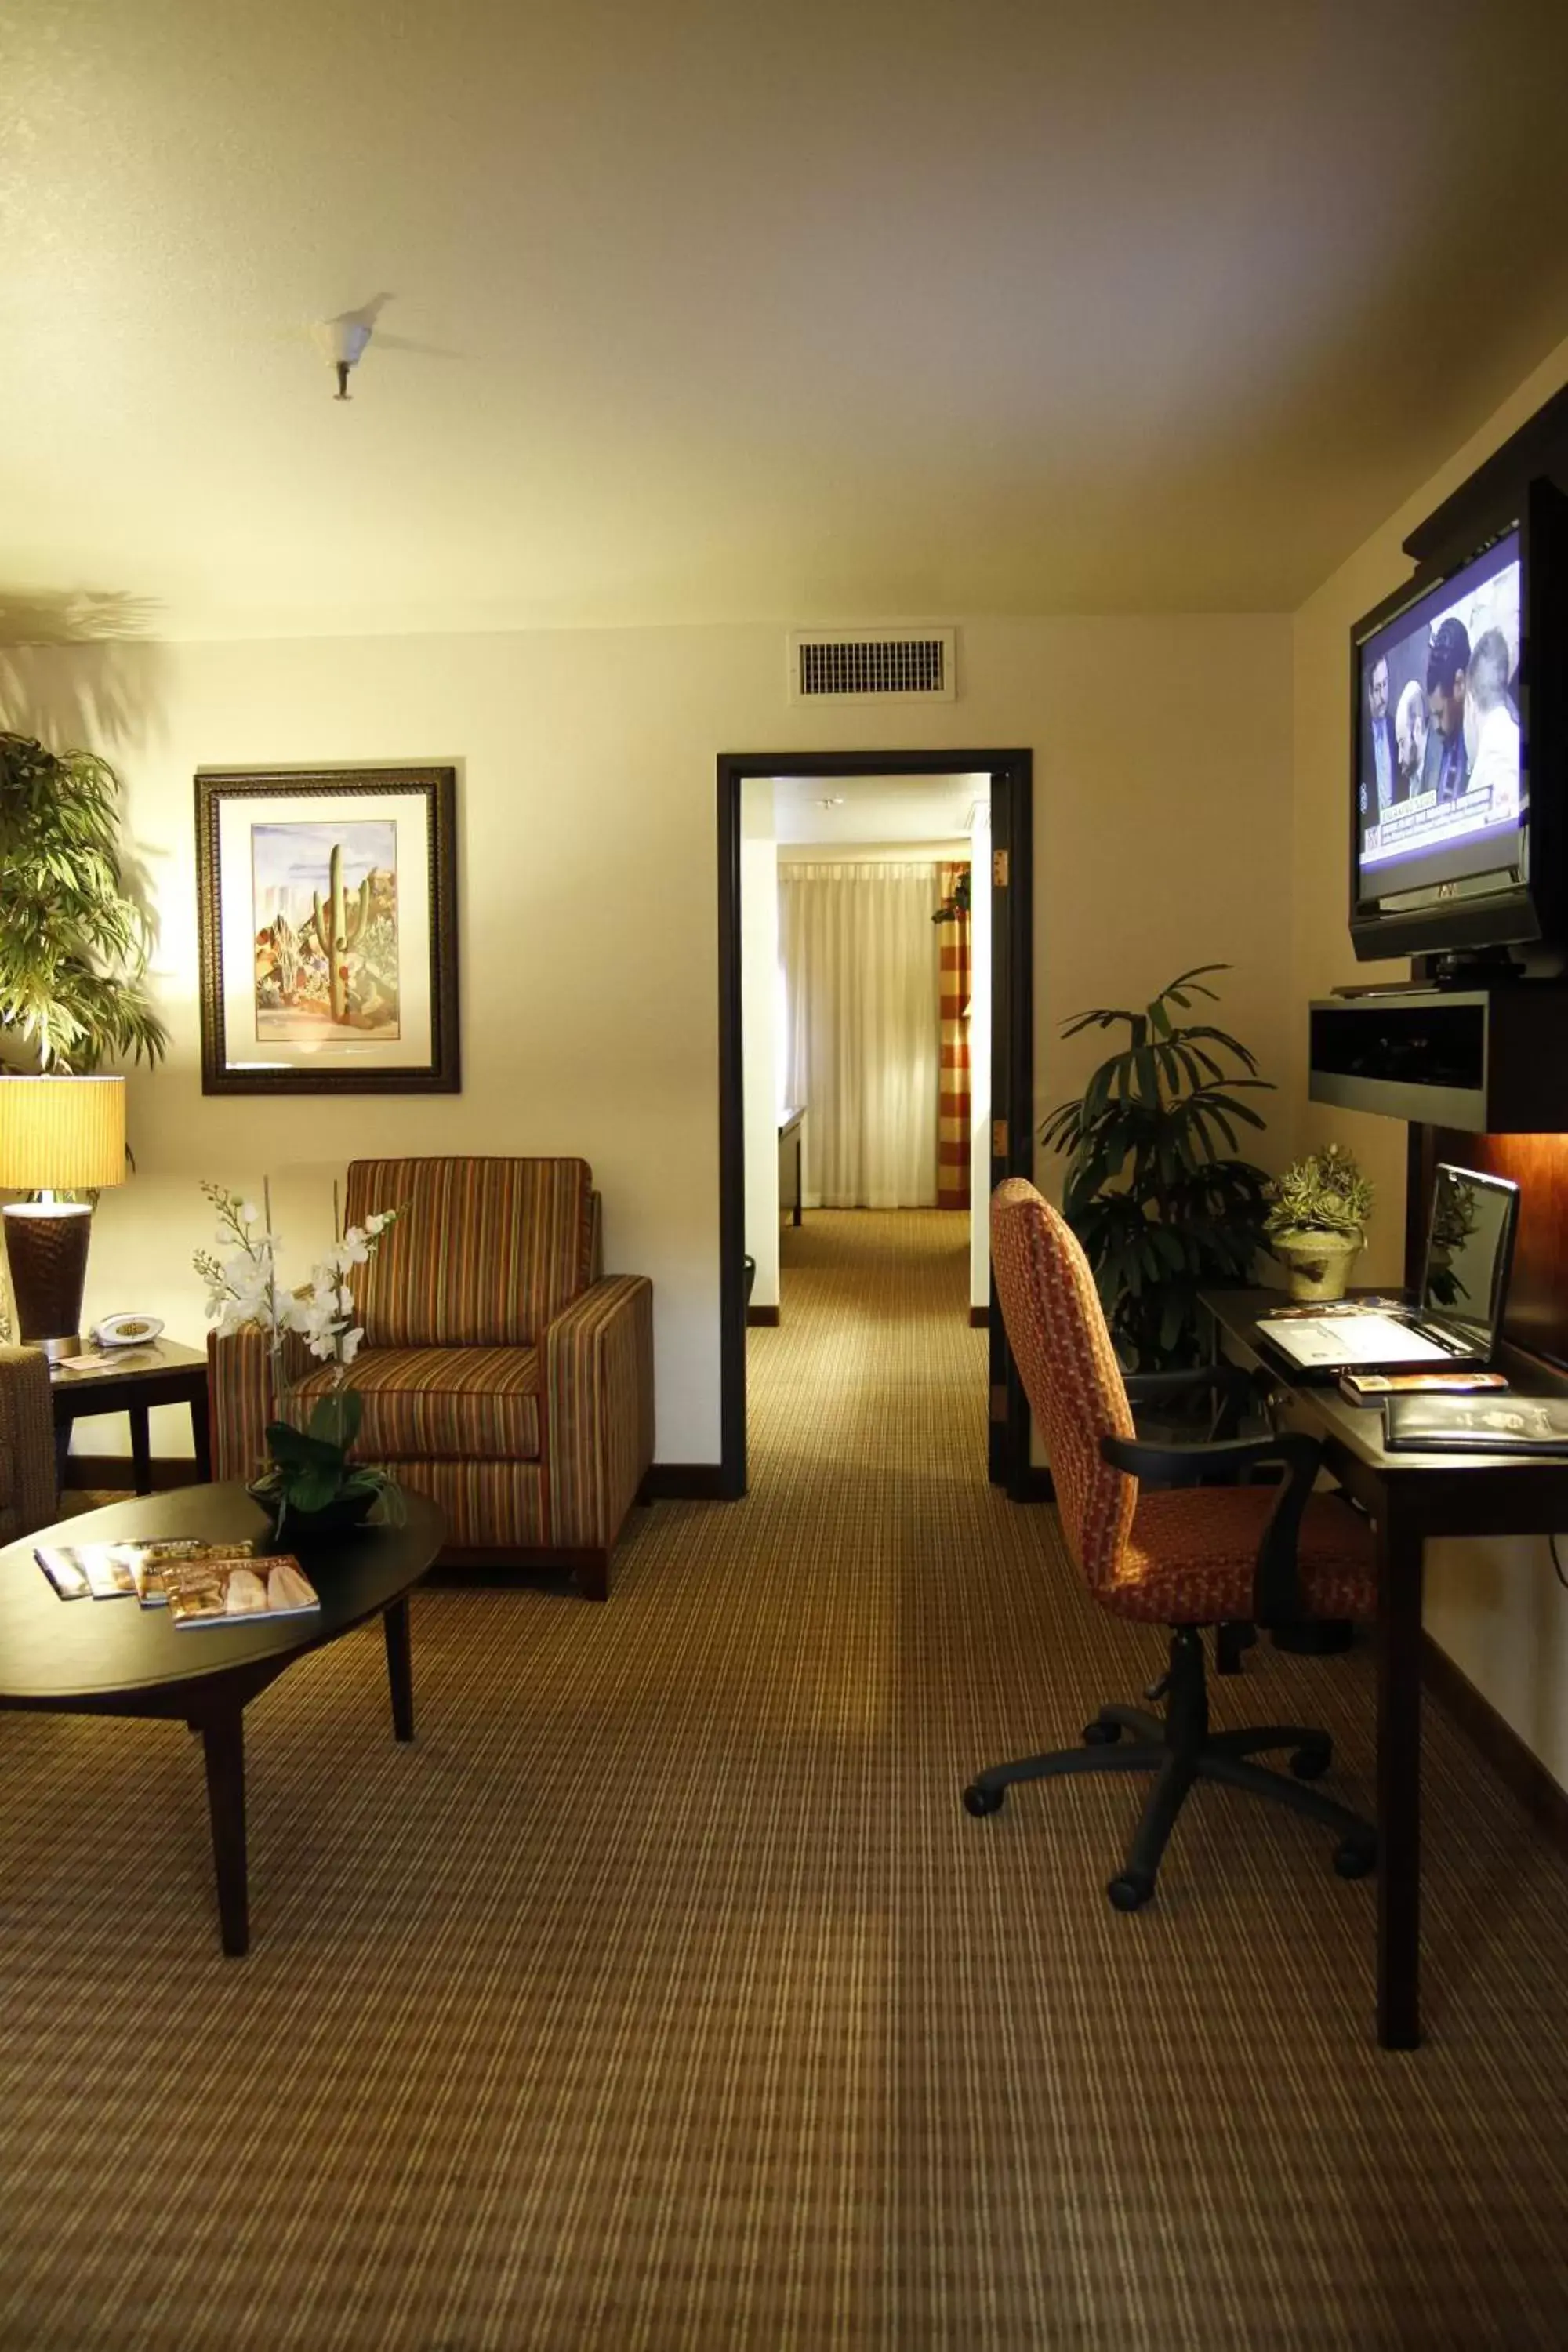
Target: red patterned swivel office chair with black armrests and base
{"type": "Point", "coordinates": [1181, 1556]}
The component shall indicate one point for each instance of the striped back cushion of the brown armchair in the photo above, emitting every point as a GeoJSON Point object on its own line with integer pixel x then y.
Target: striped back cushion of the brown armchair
{"type": "Point", "coordinates": [485, 1252]}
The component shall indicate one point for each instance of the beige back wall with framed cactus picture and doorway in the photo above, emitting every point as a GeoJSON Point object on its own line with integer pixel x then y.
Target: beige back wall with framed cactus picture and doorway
{"type": "Point", "coordinates": [589, 902]}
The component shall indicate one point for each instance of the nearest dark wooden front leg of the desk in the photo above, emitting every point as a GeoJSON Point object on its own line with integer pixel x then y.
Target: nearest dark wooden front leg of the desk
{"type": "Point", "coordinates": [1400, 1579]}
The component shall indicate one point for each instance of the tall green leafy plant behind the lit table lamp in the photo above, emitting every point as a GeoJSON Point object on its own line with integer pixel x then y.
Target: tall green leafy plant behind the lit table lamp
{"type": "Point", "coordinates": [74, 942]}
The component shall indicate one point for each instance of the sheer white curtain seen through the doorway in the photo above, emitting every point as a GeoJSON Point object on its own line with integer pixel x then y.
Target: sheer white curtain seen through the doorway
{"type": "Point", "coordinates": [864, 1029]}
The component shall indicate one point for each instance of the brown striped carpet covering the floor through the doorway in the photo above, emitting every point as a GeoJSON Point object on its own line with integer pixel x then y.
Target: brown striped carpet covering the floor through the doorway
{"type": "Point", "coordinates": [662, 1996]}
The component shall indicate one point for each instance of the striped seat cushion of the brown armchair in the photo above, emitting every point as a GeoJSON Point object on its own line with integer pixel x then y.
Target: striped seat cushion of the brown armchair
{"type": "Point", "coordinates": [429, 1405]}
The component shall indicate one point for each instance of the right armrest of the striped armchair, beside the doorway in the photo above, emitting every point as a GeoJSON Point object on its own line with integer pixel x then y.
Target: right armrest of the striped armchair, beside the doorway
{"type": "Point", "coordinates": [598, 1410]}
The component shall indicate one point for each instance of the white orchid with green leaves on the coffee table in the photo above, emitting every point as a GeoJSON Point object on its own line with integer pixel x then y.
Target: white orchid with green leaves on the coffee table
{"type": "Point", "coordinates": [309, 1483]}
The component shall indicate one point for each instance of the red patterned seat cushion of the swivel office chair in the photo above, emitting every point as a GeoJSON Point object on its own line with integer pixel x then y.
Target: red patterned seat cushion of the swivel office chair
{"type": "Point", "coordinates": [1193, 1556]}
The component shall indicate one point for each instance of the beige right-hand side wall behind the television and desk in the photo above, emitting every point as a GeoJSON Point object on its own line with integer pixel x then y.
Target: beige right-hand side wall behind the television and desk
{"type": "Point", "coordinates": [1496, 1608]}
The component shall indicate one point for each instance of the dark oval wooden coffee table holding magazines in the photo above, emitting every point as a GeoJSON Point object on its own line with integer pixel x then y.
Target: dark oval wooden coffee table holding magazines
{"type": "Point", "coordinates": [116, 1657]}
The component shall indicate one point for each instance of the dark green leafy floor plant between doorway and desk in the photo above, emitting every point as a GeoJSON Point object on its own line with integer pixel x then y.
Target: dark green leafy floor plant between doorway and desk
{"type": "Point", "coordinates": [1155, 1187]}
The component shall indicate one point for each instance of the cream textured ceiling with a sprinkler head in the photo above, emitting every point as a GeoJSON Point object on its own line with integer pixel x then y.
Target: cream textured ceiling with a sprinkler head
{"type": "Point", "coordinates": [697, 312]}
